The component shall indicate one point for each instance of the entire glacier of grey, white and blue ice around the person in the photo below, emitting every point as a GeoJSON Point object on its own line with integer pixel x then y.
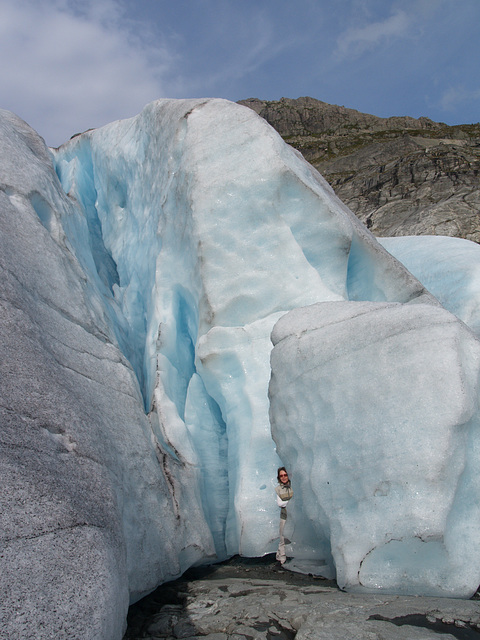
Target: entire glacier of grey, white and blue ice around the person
{"type": "Point", "coordinates": [186, 306]}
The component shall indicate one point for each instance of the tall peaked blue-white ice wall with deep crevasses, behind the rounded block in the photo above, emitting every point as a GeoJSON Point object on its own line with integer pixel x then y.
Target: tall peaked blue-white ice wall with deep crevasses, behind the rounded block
{"type": "Point", "coordinates": [216, 228]}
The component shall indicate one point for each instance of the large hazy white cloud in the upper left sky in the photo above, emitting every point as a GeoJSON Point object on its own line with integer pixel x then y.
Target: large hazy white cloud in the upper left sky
{"type": "Point", "coordinates": [80, 65]}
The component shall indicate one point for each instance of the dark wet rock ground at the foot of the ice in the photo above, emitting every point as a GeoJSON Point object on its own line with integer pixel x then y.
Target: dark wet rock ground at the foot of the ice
{"type": "Point", "coordinates": [257, 599]}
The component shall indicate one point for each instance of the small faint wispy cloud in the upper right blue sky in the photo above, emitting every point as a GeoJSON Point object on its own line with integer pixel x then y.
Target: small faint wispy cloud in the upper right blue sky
{"type": "Point", "coordinates": [356, 40]}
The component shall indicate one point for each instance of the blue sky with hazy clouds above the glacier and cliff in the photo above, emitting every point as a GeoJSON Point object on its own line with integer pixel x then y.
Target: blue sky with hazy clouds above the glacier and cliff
{"type": "Point", "coordinates": [72, 65]}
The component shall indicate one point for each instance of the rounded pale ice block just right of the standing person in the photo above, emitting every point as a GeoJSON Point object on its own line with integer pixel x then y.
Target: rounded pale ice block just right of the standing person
{"type": "Point", "coordinates": [374, 407]}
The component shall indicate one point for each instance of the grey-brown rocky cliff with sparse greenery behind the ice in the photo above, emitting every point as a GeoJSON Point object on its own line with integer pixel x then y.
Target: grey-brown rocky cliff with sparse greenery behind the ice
{"type": "Point", "coordinates": [400, 175]}
